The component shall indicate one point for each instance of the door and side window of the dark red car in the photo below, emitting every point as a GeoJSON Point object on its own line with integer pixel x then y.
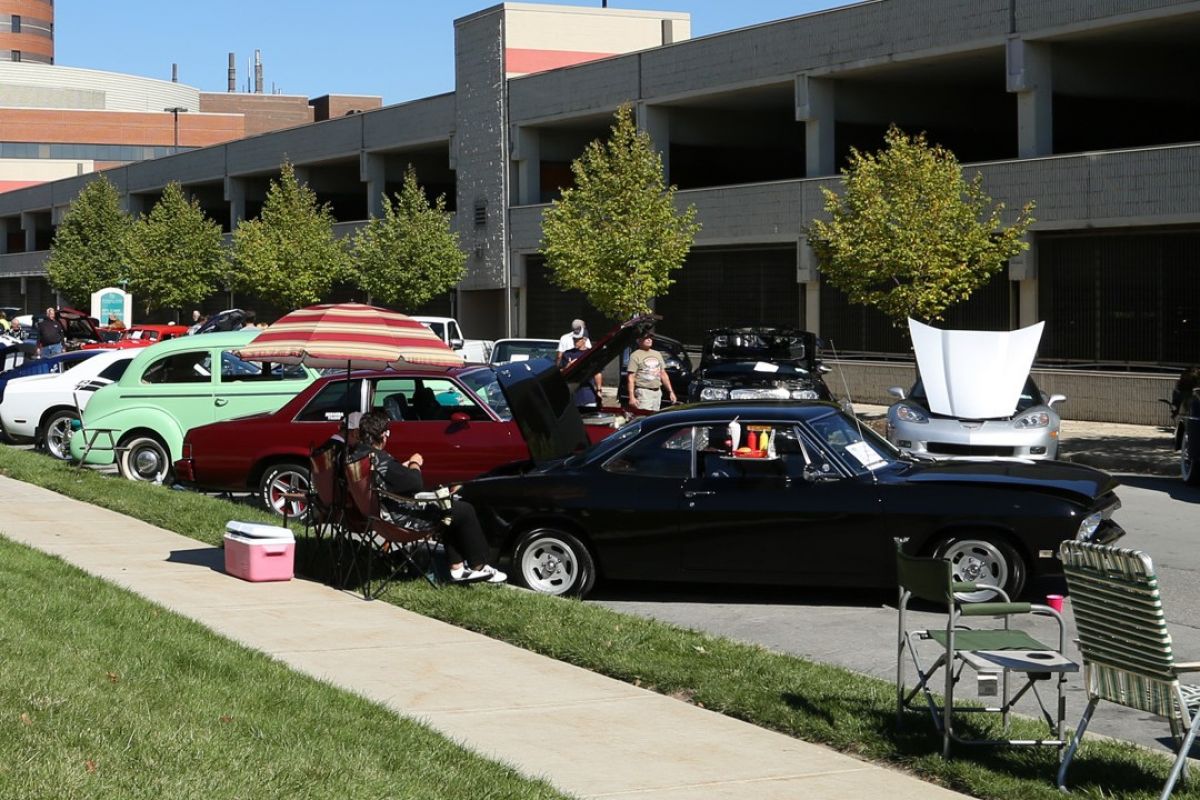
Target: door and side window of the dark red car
{"type": "Point", "coordinates": [440, 419]}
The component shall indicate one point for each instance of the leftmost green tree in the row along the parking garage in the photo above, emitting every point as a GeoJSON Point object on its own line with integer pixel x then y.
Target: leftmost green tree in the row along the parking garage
{"type": "Point", "coordinates": [91, 249]}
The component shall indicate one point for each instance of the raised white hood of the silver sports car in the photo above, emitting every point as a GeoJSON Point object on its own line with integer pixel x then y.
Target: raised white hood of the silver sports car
{"type": "Point", "coordinates": [974, 375]}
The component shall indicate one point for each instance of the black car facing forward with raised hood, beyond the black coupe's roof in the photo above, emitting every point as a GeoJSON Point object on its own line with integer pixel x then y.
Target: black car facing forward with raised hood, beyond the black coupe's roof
{"type": "Point", "coordinates": [759, 364]}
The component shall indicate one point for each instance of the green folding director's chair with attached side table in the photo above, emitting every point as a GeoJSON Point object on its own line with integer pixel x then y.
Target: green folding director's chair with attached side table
{"type": "Point", "coordinates": [993, 653]}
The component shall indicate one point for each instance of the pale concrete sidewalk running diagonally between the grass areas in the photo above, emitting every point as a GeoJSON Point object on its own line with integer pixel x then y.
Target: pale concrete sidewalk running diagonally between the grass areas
{"type": "Point", "coordinates": [590, 736]}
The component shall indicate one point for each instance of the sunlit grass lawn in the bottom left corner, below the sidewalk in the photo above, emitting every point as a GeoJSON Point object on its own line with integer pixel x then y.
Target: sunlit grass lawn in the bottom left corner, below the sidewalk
{"type": "Point", "coordinates": [105, 695]}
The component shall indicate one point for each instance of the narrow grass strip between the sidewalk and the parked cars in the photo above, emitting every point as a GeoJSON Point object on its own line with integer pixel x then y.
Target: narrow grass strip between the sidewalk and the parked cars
{"type": "Point", "coordinates": [809, 701]}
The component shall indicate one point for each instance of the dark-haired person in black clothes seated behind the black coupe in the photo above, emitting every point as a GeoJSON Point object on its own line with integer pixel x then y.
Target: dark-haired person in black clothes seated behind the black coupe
{"type": "Point", "coordinates": [466, 546]}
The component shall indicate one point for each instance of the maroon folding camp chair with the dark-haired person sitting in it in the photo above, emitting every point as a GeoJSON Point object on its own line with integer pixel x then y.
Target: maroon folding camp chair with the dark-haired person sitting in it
{"type": "Point", "coordinates": [382, 542]}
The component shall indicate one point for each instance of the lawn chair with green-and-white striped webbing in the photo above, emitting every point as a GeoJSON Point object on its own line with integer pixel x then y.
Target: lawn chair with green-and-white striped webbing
{"type": "Point", "coordinates": [1126, 646]}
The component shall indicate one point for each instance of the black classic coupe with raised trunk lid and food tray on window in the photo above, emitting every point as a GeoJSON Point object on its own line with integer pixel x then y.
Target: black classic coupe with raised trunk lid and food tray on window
{"type": "Point", "coordinates": [772, 494]}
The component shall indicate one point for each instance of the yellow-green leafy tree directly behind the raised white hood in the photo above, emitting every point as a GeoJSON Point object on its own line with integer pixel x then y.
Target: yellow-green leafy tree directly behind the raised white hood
{"type": "Point", "coordinates": [909, 234]}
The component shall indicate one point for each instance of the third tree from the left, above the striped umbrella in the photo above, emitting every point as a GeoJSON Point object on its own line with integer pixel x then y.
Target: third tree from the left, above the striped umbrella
{"type": "Point", "coordinates": [290, 254]}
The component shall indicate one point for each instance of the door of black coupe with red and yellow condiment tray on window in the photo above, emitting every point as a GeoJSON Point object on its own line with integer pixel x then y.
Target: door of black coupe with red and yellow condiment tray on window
{"type": "Point", "coordinates": [790, 519]}
